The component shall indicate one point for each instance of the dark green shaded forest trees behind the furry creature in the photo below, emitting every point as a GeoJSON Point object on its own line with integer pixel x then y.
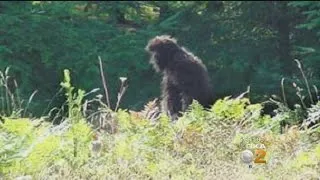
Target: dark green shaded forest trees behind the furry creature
{"type": "Point", "coordinates": [242, 44]}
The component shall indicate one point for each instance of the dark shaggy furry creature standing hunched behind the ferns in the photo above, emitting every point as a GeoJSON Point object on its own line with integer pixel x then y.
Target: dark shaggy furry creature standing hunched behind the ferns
{"type": "Point", "coordinates": [185, 77]}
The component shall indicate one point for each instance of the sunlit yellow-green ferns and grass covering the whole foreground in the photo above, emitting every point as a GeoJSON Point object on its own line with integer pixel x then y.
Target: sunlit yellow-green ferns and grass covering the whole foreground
{"type": "Point", "coordinates": [202, 144]}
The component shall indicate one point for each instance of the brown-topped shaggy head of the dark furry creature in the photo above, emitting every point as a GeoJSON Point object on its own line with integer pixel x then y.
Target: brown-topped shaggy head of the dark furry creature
{"type": "Point", "coordinates": [162, 48]}
